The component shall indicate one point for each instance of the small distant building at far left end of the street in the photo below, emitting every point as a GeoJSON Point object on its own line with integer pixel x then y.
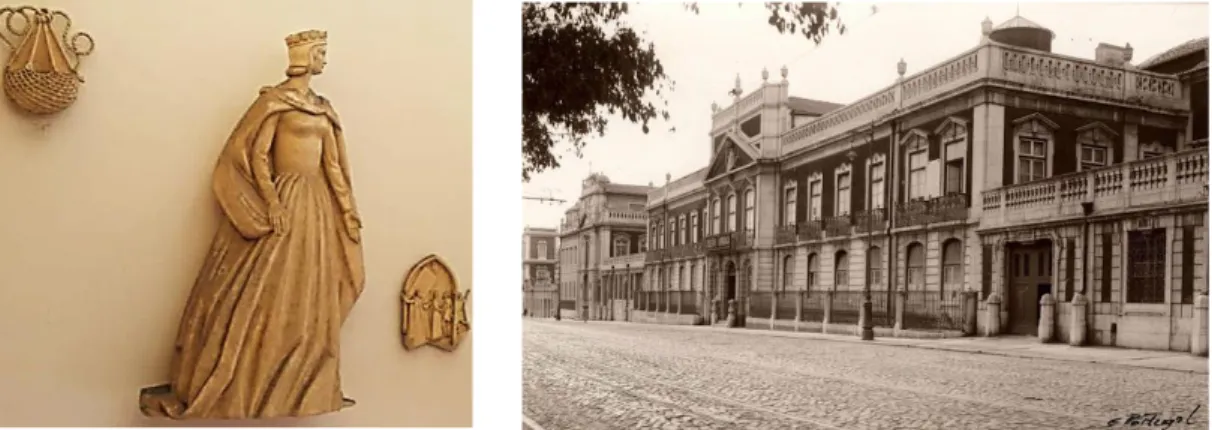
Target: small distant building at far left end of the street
{"type": "Point", "coordinates": [540, 272]}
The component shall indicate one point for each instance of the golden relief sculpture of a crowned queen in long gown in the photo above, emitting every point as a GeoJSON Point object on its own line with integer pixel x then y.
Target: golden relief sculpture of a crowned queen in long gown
{"type": "Point", "coordinates": [260, 336]}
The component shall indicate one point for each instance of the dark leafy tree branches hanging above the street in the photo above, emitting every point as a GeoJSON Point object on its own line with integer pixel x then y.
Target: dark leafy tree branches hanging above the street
{"type": "Point", "coordinates": [584, 65]}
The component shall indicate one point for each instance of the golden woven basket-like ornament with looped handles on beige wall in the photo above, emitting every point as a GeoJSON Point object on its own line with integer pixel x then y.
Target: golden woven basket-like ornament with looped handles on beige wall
{"type": "Point", "coordinates": [42, 76]}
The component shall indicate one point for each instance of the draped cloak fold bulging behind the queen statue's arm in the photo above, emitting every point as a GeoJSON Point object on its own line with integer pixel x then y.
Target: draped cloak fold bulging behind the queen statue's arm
{"type": "Point", "coordinates": [236, 185]}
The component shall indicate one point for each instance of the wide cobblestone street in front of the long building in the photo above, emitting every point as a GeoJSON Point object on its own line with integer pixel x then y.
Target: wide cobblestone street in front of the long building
{"type": "Point", "coordinates": [631, 376]}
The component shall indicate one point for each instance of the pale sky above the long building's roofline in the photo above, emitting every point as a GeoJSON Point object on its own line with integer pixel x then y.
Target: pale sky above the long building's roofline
{"type": "Point", "coordinates": [704, 54]}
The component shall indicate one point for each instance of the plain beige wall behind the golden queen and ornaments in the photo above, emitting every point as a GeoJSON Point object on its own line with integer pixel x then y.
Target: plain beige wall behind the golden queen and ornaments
{"type": "Point", "coordinates": [107, 211]}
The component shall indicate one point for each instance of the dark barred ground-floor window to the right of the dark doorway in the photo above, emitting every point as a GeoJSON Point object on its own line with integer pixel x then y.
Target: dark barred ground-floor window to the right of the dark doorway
{"type": "Point", "coordinates": [1147, 260]}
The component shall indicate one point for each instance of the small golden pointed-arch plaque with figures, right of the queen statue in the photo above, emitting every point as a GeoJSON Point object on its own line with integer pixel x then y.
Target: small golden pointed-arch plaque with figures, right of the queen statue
{"type": "Point", "coordinates": [433, 309]}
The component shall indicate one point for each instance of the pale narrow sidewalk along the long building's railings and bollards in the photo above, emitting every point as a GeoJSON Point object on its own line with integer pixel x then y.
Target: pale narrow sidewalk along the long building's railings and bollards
{"type": "Point", "coordinates": [1014, 347]}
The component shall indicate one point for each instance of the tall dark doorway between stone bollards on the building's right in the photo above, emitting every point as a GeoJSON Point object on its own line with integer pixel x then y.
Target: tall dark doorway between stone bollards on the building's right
{"type": "Point", "coordinates": [1030, 277]}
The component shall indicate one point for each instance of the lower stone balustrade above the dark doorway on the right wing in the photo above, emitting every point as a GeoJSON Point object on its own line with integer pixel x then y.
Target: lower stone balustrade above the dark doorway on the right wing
{"type": "Point", "coordinates": [1164, 181]}
